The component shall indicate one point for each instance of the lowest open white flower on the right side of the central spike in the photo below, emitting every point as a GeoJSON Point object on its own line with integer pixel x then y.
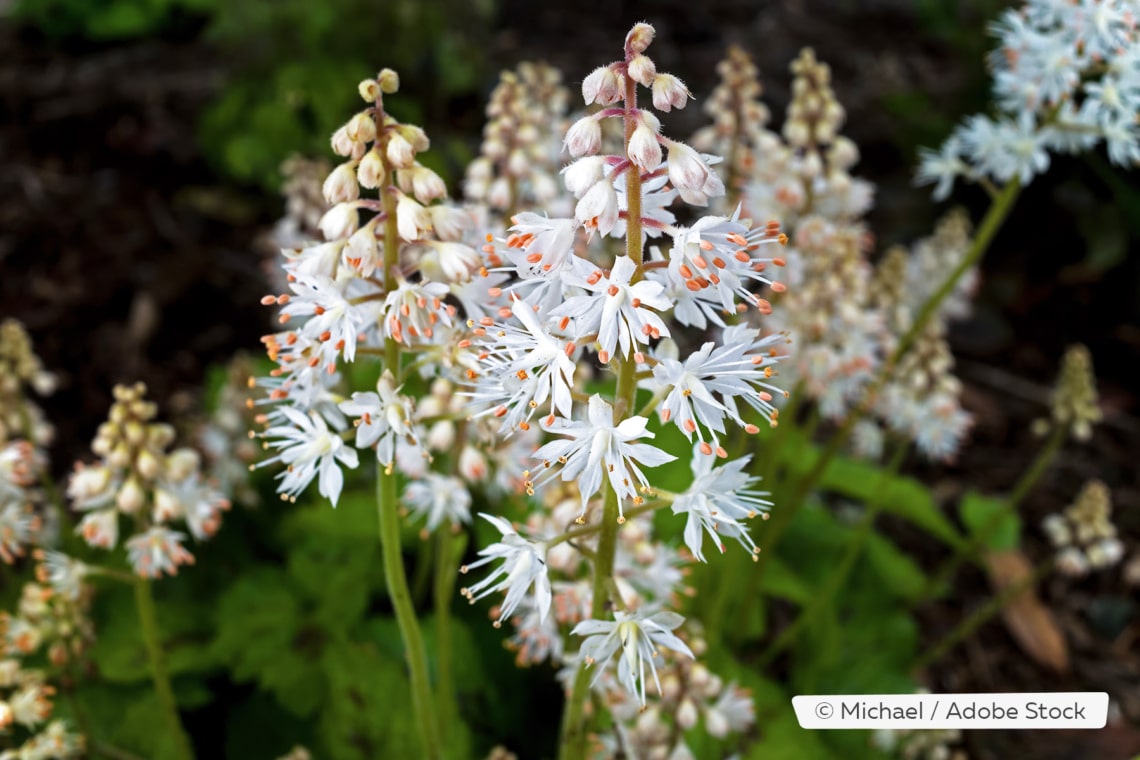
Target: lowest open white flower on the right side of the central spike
{"type": "Point", "coordinates": [718, 502]}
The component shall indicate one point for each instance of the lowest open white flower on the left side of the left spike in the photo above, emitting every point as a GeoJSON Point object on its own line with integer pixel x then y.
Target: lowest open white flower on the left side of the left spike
{"type": "Point", "coordinates": [308, 448]}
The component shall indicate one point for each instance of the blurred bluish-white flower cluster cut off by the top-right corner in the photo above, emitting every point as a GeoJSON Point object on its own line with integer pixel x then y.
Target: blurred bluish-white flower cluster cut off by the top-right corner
{"type": "Point", "coordinates": [1066, 78]}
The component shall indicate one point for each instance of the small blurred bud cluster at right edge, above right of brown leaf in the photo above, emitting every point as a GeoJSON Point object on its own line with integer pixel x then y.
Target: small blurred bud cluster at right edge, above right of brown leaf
{"type": "Point", "coordinates": [1085, 535]}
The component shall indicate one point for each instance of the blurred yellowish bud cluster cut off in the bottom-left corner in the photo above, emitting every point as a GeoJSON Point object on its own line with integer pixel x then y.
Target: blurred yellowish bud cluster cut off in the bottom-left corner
{"type": "Point", "coordinates": [44, 620]}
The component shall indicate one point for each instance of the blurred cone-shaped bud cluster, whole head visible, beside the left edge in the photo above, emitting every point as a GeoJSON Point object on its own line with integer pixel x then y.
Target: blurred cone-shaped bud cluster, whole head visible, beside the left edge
{"type": "Point", "coordinates": [139, 478]}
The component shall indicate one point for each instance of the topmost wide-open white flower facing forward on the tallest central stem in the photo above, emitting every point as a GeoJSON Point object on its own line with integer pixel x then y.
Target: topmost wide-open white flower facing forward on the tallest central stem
{"type": "Point", "coordinates": [617, 310]}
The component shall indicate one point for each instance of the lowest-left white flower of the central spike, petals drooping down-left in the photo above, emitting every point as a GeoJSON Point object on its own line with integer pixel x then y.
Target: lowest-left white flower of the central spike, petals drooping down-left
{"type": "Point", "coordinates": [524, 566]}
